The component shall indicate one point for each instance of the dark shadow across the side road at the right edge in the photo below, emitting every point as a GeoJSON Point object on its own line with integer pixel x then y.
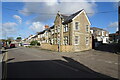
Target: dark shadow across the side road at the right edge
{"type": "Point", "coordinates": [112, 48]}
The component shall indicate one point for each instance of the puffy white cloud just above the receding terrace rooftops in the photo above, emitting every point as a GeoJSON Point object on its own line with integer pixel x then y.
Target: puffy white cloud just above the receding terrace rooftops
{"type": "Point", "coordinates": [37, 26]}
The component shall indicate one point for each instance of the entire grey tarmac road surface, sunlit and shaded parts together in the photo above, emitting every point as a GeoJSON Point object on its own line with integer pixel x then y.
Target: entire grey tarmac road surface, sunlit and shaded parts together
{"type": "Point", "coordinates": [36, 63]}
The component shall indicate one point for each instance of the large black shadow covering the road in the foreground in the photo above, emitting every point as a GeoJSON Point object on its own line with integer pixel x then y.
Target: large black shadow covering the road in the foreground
{"type": "Point", "coordinates": [51, 69]}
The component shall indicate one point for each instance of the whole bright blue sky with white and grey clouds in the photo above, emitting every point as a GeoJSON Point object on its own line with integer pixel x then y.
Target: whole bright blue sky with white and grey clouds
{"type": "Point", "coordinates": [28, 18]}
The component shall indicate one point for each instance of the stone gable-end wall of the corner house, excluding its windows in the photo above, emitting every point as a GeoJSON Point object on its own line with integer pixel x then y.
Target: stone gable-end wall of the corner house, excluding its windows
{"type": "Point", "coordinates": [82, 33]}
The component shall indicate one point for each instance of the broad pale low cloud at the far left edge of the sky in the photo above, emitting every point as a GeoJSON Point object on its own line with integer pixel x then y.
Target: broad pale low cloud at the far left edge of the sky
{"type": "Point", "coordinates": [9, 28]}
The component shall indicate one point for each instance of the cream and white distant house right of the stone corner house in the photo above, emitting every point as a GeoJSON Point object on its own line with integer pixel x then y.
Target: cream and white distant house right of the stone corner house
{"type": "Point", "coordinates": [99, 35]}
